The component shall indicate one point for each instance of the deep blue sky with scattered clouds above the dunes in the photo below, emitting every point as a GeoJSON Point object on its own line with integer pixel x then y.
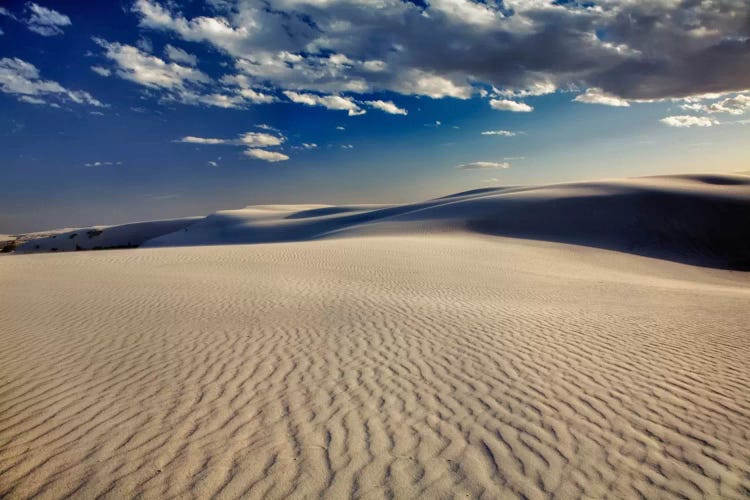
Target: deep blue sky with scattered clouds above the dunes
{"type": "Point", "coordinates": [119, 111]}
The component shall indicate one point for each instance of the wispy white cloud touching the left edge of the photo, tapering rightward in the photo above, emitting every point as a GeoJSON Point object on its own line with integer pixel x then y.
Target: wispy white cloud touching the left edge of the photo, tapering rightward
{"type": "Point", "coordinates": [22, 79]}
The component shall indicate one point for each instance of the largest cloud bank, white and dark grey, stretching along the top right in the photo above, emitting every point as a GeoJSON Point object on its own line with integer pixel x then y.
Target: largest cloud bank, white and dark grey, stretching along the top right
{"type": "Point", "coordinates": [519, 47]}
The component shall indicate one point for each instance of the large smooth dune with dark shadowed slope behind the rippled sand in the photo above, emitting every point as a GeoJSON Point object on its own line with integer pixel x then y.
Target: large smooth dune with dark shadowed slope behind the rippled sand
{"type": "Point", "coordinates": [696, 219]}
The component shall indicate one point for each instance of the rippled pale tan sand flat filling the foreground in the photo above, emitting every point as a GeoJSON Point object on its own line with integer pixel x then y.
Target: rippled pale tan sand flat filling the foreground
{"type": "Point", "coordinates": [434, 366]}
